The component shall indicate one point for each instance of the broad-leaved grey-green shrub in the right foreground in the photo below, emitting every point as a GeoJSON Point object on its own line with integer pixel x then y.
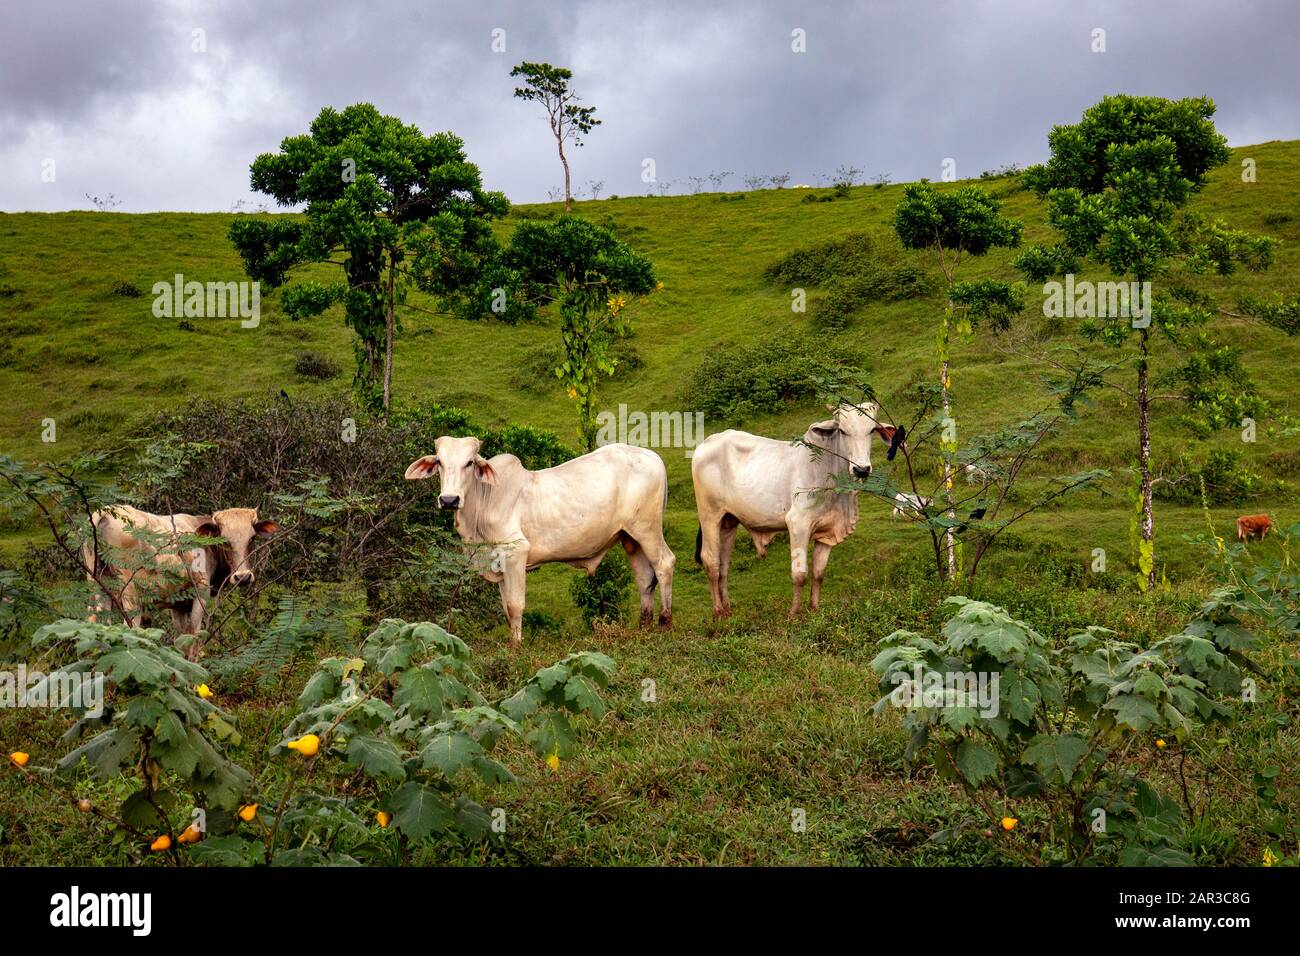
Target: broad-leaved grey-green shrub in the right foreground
{"type": "Point", "coordinates": [1052, 736]}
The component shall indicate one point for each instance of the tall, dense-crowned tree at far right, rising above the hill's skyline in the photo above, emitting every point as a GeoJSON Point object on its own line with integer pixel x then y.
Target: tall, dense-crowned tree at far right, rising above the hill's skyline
{"type": "Point", "coordinates": [1115, 187]}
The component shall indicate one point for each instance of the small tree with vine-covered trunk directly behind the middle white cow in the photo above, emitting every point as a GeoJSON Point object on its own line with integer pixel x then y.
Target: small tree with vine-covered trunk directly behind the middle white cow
{"type": "Point", "coordinates": [590, 275]}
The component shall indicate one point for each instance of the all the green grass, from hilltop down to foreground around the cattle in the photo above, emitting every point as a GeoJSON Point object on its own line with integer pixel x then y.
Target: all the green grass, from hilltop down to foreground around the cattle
{"type": "Point", "coordinates": [755, 719]}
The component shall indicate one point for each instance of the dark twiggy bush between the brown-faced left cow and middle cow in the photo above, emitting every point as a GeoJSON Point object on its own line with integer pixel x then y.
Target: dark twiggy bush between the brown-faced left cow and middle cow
{"type": "Point", "coordinates": [272, 455]}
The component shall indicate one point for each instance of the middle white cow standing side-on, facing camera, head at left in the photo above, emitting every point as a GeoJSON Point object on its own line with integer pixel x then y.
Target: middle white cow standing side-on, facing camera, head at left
{"type": "Point", "coordinates": [573, 513]}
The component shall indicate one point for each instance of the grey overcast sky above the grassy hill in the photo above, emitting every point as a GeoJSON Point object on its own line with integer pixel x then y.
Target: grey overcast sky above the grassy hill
{"type": "Point", "coordinates": [110, 97]}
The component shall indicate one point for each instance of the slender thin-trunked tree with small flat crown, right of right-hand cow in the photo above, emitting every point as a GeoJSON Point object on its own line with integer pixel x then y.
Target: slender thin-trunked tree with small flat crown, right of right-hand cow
{"type": "Point", "coordinates": [954, 224]}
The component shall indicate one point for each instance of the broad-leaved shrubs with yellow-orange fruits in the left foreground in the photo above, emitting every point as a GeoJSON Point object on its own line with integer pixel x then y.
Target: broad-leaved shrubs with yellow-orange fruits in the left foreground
{"type": "Point", "coordinates": [397, 729]}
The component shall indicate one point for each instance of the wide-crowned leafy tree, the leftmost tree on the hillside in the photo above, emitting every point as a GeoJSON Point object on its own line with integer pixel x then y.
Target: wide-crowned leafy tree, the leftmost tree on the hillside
{"type": "Point", "coordinates": [389, 206]}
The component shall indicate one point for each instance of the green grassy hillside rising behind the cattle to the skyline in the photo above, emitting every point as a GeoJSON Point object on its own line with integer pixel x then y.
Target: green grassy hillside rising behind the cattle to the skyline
{"type": "Point", "coordinates": [75, 349]}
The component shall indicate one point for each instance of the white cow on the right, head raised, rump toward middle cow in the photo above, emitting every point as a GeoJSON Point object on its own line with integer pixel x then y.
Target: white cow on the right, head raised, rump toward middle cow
{"type": "Point", "coordinates": [772, 486]}
